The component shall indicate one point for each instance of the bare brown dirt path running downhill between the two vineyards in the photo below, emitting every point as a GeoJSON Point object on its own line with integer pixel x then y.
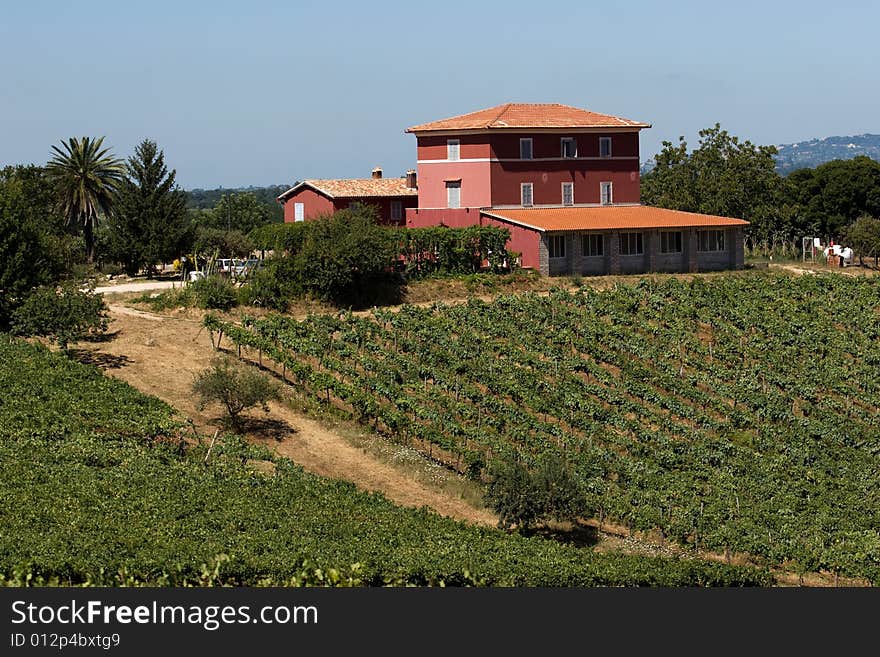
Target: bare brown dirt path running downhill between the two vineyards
{"type": "Point", "coordinates": [160, 354]}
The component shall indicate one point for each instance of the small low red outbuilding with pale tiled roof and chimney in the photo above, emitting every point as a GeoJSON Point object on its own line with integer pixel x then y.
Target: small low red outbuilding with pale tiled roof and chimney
{"type": "Point", "coordinates": [314, 198]}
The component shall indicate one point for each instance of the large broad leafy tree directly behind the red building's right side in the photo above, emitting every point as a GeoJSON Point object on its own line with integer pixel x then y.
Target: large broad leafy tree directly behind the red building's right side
{"type": "Point", "coordinates": [723, 176]}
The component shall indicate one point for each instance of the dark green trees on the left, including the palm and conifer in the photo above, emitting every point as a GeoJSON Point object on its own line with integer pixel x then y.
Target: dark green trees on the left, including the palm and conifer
{"type": "Point", "coordinates": [87, 209]}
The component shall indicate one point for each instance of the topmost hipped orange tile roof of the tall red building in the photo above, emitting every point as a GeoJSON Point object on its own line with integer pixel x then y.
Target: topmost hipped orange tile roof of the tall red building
{"type": "Point", "coordinates": [529, 115]}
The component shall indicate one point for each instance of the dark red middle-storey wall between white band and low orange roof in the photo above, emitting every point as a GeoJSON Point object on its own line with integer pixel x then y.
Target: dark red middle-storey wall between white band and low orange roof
{"type": "Point", "coordinates": [547, 179]}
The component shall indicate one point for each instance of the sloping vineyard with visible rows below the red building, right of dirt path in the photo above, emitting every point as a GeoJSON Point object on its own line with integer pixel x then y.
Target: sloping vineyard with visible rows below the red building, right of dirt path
{"type": "Point", "coordinates": [738, 414]}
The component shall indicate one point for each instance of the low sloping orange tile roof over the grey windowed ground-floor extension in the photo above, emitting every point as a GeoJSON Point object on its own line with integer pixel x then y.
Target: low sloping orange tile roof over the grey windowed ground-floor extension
{"type": "Point", "coordinates": [609, 217]}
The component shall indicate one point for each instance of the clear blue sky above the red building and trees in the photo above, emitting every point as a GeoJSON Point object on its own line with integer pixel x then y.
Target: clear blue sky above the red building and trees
{"type": "Point", "coordinates": [266, 92]}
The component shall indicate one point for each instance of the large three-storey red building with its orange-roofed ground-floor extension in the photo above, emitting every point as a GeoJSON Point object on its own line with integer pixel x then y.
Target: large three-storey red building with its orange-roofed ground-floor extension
{"type": "Point", "coordinates": [565, 182]}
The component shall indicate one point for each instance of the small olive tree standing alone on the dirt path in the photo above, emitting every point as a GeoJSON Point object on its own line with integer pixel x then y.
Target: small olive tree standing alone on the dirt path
{"type": "Point", "coordinates": [236, 387]}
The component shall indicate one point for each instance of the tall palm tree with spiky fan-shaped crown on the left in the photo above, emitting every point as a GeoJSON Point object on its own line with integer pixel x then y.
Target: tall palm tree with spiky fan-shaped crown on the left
{"type": "Point", "coordinates": [86, 177]}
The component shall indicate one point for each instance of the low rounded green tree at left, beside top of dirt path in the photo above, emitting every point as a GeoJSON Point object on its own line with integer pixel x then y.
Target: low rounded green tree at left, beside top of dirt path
{"type": "Point", "coordinates": [65, 314]}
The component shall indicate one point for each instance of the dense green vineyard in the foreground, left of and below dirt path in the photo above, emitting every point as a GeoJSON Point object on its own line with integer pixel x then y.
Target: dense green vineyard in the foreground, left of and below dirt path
{"type": "Point", "coordinates": [102, 485]}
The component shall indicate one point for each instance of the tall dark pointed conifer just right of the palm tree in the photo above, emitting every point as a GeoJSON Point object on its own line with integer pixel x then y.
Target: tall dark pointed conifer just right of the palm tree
{"type": "Point", "coordinates": [150, 221]}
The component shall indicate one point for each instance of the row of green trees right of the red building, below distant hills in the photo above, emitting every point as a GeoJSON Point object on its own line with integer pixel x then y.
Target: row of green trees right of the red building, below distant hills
{"type": "Point", "coordinates": [730, 177]}
